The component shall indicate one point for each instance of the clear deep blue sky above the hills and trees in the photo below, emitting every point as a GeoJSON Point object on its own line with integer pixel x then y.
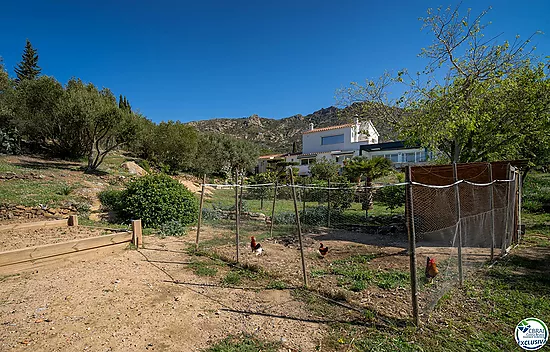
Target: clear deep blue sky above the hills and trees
{"type": "Point", "coordinates": [183, 60]}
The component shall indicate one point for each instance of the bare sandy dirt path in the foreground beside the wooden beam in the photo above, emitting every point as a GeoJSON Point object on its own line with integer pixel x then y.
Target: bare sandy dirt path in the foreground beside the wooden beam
{"type": "Point", "coordinates": [129, 302]}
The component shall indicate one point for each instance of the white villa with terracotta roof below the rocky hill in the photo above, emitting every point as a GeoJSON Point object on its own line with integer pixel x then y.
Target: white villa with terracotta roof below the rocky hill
{"type": "Point", "coordinates": [343, 142]}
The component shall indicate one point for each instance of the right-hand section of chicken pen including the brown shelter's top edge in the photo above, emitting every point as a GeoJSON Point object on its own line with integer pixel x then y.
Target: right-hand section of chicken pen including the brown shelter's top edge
{"type": "Point", "coordinates": [464, 216]}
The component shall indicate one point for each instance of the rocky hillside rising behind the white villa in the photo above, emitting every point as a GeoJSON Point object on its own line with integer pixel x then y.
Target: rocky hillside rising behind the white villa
{"type": "Point", "coordinates": [279, 135]}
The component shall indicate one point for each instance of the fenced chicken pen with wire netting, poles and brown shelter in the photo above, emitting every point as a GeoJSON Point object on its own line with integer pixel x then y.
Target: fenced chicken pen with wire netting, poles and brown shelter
{"type": "Point", "coordinates": [379, 235]}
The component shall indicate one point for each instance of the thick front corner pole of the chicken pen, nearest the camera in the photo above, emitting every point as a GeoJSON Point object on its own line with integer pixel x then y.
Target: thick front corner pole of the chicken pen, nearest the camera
{"type": "Point", "coordinates": [412, 245]}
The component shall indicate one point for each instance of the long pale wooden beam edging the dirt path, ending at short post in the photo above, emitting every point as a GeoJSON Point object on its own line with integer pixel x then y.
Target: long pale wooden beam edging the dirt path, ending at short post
{"type": "Point", "coordinates": [56, 249]}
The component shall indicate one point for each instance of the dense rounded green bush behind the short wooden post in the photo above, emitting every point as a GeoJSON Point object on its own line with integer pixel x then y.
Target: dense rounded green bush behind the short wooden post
{"type": "Point", "coordinates": [158, 199]}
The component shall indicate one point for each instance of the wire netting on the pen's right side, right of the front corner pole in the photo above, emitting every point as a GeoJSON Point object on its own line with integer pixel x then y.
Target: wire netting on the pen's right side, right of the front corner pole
{"type": "Point", "coordinates": [463, 225]}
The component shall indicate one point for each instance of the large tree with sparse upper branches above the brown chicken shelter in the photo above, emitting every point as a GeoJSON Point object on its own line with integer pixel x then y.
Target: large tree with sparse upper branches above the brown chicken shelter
{"type": "Point", "coordinates": [445, 107]}
